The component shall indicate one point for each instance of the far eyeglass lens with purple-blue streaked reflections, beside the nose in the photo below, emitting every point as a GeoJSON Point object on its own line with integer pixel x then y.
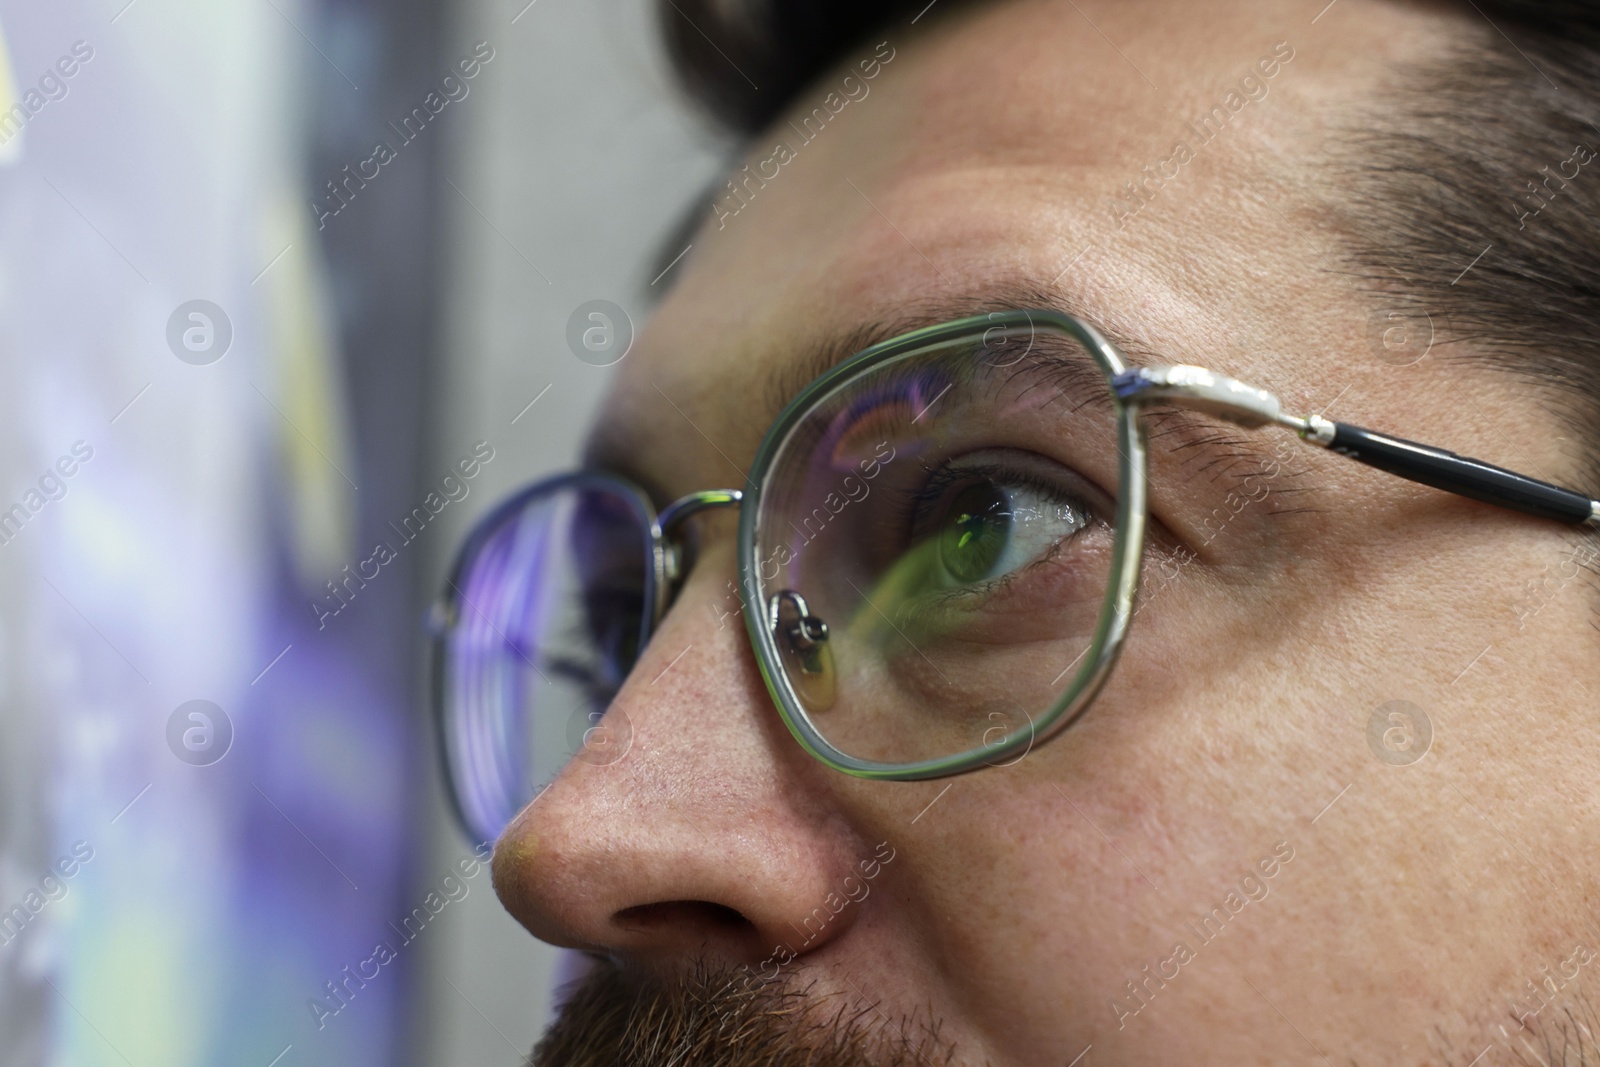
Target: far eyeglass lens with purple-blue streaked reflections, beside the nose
{"type": "Point", "coordinates": [548, 615]}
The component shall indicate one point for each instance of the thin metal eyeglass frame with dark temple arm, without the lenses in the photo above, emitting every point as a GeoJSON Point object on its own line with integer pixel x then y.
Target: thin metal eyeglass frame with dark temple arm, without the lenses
{"type": "Point", "coordinates": [1134, 390]}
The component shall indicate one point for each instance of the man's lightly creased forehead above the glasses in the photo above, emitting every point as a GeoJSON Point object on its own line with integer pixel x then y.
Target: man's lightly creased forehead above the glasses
{"type": "Point", "coordinates": [1143, 166]}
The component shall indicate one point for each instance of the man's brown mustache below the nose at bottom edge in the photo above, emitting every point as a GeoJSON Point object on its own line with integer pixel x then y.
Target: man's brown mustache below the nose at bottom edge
{"type": "Point", "coordinates": [714, 1017]}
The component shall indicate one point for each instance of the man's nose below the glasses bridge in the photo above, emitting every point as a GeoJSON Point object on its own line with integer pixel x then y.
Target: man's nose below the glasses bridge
{"type": "Point", "coordinates": [713, 836]}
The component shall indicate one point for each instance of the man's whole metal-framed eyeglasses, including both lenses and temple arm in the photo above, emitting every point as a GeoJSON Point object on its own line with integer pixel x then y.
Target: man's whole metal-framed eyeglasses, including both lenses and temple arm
{"type": "Point", "coordinates": [938, 554]}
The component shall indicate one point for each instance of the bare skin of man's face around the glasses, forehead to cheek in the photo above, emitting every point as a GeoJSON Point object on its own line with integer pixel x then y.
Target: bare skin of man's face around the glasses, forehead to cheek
{"type": "Point", "coordinates": [1234, 858]}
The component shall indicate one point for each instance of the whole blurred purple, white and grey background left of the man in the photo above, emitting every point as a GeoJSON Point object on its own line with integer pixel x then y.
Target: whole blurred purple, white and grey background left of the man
{"type": "Point", "coordinates": [270, 271]}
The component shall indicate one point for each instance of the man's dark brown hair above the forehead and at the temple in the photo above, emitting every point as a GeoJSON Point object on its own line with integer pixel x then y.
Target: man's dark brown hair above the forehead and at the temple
{"type": "Point", "coordinates": [1490, 151]}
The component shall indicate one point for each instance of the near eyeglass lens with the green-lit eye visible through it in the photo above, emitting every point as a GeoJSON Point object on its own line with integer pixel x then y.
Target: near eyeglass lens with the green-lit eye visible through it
{"type": "Point", "coordinates": [948, 519]}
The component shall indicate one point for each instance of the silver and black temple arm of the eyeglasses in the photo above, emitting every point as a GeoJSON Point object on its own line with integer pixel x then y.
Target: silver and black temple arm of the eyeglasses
{"type": "Point", "coordinates": [1246, 406]}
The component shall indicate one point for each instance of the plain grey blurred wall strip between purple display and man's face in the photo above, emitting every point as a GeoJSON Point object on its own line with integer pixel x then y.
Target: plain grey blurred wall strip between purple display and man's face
{"type": "Point", "coordinates": [572, 161]}
